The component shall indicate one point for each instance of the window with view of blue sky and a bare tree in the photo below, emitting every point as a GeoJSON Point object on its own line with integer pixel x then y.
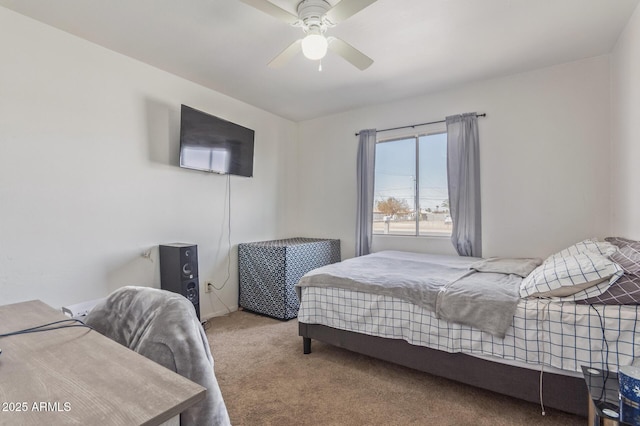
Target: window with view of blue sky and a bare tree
{"type": "Point", "coordinates": [411, 194]}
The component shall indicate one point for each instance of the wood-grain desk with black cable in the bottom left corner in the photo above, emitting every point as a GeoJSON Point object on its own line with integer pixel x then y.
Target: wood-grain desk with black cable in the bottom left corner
{"type": "Point", "coordinates": [78, 376]}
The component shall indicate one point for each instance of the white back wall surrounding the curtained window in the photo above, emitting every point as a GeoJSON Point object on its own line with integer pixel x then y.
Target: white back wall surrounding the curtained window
{"type": "Point", "coordinates": [544, 160]}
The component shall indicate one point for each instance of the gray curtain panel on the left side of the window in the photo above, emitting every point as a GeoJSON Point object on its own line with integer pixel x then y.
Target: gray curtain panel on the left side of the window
{"type": "Point", "coordinates": [365, 170]}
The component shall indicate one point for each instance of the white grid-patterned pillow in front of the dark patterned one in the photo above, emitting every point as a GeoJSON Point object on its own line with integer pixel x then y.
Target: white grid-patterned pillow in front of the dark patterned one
{"type": "Point", "coordinates": [571, 277]}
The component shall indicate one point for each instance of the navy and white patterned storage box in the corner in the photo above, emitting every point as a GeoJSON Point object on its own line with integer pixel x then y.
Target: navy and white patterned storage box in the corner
{"type": "Point", "coordinates": [269, 270]}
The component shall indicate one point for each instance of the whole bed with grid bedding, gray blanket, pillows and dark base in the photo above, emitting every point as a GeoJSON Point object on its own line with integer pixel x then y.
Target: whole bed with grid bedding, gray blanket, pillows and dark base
{"type": "Point", "coordinates": [577, 307]}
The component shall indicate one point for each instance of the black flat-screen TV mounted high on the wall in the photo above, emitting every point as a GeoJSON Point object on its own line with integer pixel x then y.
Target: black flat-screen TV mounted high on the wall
{"type": "Point", "coordinates": [214, 145]}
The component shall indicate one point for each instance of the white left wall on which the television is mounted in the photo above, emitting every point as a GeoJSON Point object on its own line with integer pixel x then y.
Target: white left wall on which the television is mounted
{"type": "Point", "coordinates": [89, 177]}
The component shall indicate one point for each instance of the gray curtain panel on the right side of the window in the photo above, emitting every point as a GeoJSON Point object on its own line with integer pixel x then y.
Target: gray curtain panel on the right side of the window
{"type": "Point", "coordinates": [463, 172]}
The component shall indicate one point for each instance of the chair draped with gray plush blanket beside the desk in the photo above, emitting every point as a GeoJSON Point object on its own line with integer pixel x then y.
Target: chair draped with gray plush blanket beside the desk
{"type": "Point", "coordinates": [163, 327]}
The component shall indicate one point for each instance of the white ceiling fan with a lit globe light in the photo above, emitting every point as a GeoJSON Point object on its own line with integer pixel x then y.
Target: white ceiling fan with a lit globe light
{"type": "Point", "coordinates": [315, 17]}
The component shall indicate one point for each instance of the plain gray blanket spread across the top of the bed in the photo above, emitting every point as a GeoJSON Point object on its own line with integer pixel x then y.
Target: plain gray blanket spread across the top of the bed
{"type": "Point", "coordinates": [444, 285]}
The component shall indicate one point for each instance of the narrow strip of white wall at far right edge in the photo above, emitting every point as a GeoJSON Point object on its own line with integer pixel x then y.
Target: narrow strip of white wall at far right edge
{"type": "Point", "coordinates": [625, 206]}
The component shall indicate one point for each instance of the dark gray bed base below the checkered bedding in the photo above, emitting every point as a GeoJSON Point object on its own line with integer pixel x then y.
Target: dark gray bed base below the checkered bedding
{"type": "Point", "coordinates": [564, 393]}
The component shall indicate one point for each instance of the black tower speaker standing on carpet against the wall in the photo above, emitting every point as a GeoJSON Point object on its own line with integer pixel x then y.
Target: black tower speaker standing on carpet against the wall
{"type": "Point", "coordinates": [179, 271]}
